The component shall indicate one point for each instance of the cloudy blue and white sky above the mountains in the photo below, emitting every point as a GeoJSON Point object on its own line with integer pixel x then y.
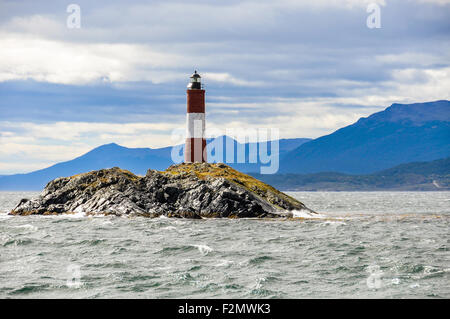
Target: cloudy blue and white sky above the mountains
{"type": "Point", "coordinates": [304, 67]}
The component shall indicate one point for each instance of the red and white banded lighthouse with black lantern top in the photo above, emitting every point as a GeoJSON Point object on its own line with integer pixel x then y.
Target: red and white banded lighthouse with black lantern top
{"type": "Point", "coordinates": [195, 150]}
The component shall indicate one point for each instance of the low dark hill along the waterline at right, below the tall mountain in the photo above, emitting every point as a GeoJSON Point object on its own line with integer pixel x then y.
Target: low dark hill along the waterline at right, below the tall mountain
{"type": "Point", "coordinates": [417, 176]}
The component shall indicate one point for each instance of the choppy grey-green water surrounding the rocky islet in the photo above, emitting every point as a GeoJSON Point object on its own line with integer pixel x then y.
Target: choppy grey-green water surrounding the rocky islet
{"type": "Point", "coordinates": [373, 245]}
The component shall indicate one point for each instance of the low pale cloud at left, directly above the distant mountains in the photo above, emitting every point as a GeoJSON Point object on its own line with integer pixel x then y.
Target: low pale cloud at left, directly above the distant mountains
{"type": "Point", "coordinates": [27, 145]}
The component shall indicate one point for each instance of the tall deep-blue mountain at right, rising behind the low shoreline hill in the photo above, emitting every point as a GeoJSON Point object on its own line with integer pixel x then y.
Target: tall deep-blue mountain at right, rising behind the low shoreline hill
{"type": "Point", "coordinates": [401, 133]}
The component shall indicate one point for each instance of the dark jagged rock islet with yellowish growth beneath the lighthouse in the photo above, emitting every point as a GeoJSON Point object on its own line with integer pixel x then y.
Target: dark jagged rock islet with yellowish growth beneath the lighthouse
{"type": "Point", "coordinates": [184, 190]}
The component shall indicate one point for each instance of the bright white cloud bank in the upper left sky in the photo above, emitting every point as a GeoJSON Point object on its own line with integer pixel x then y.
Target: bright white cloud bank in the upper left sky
{"type": "Point", "coordinates": [24, 57]}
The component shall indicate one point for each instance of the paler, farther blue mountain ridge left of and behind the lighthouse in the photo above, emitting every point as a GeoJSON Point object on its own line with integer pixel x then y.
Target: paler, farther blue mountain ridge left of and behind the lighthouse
{"type": "Point", "coordinates": [136, 160]}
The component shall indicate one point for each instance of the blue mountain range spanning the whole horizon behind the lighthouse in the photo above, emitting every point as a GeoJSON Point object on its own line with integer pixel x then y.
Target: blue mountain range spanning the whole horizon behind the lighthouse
{"type": "Point", "coordinates": [402, 133]}
